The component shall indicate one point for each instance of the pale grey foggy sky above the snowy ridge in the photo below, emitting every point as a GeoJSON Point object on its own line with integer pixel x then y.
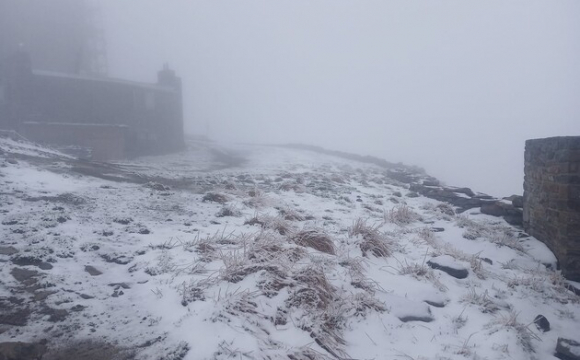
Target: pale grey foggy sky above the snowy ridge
{"type": "Point", "coordinates": [453, 86]}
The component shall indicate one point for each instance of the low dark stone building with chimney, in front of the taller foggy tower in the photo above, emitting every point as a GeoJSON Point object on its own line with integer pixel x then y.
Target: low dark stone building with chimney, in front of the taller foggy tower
{"type": "Point", "coordinates": [111, 117]}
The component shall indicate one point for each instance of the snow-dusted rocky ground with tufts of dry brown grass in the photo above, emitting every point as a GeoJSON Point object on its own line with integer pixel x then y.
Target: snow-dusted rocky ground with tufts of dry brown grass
{"type": "Point", "coordinates": [255, 252]}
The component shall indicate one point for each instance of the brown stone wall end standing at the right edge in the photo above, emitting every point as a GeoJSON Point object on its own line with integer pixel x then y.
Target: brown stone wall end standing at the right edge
{"type": "Point", "coordinates": [552, 198]}
